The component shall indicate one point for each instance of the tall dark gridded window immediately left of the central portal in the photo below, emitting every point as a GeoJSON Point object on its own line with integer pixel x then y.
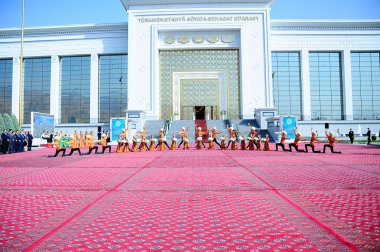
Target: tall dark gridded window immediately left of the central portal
{"type": "Point", "coordinates": [113, 86]}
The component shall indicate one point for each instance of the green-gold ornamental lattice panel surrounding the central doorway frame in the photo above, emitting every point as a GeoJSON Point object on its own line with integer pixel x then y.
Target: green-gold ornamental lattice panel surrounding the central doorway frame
{"type": "Point", "coordinates": [209, 60]}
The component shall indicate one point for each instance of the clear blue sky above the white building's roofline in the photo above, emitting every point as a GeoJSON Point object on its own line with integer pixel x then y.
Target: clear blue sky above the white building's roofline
{"type": "Point", "coordinates": [66, 12]}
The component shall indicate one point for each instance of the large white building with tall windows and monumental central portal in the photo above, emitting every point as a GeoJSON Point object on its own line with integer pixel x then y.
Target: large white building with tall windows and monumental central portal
{"type": "Point", "coordinates": [217, 57]}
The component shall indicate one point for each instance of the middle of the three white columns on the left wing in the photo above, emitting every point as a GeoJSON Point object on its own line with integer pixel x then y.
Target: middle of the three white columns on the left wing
{"type": "Point", "coordinates": [54, 88]}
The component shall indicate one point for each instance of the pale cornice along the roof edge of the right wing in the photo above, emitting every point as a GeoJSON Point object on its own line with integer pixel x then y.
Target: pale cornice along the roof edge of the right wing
{"type": "Point", "coordinates": [325, 25]}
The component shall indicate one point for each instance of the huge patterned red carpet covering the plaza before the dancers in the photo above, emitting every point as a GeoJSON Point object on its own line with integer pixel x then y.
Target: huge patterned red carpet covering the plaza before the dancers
{"type": "Point", "coordinates": [196, 200]}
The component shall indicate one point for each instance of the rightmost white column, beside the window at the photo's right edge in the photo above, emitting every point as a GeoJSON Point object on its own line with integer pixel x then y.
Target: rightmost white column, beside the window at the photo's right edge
{"type": "Point", "coordinates": [347, 85]}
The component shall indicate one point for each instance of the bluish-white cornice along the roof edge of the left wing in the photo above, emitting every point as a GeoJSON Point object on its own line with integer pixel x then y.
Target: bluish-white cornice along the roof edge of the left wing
{"type": "Point", "coordinates": [64, 30]}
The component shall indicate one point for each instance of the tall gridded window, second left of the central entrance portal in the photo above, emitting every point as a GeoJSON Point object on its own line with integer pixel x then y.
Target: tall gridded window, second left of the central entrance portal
{"type": "Point", "coordinates": [75, 89]}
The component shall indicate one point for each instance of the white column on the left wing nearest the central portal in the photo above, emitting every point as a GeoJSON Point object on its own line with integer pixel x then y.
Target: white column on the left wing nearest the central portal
{"type": "Point", "coordinates": [94, 88]}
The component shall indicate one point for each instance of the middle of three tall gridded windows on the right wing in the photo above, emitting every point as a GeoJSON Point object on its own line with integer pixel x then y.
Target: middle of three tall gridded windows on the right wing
{"type": "Point", "coordinates": [326, 86]}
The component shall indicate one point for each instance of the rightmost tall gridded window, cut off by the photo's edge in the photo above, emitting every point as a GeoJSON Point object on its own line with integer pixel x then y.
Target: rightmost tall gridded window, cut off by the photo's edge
{"type": "Point", "coordinates": [365, 84]}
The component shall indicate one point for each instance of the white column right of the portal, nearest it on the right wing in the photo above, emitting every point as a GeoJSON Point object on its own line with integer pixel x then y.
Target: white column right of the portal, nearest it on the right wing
{"type": "Point", "coordinates": [305, 88]}
